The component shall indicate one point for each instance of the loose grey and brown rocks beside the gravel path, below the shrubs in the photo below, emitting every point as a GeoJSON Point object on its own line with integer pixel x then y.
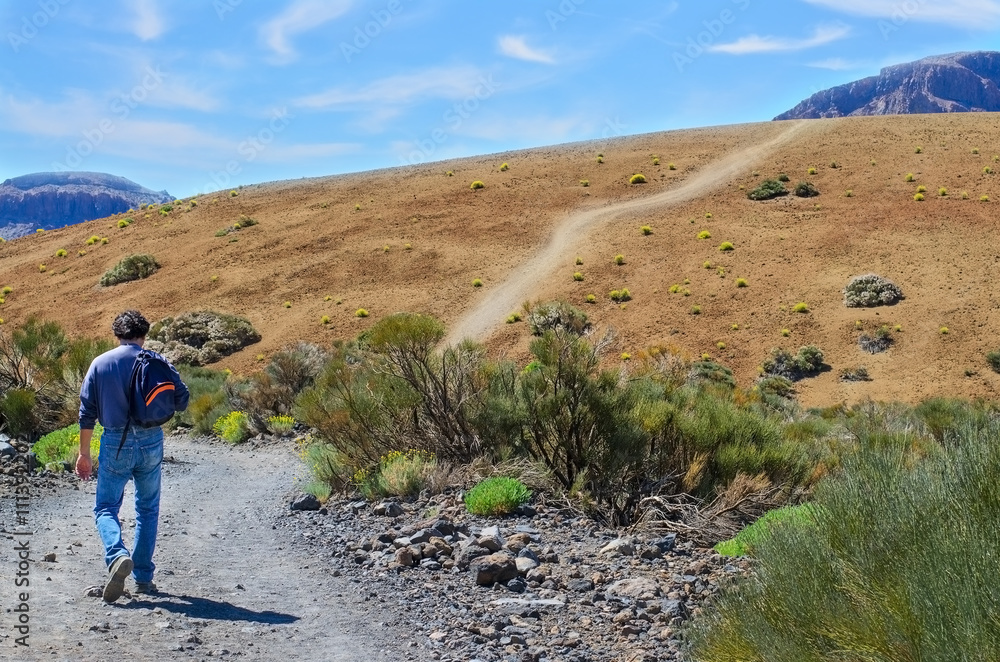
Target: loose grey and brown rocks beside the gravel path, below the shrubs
{"type": "Point", "coordinates": [546, 584]}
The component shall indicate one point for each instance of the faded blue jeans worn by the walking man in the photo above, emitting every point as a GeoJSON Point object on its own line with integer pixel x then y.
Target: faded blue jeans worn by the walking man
{"type": "Point", "coordinates": [140, 460]}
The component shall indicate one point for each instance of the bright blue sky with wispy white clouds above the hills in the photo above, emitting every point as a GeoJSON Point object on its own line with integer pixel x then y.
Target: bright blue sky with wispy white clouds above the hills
{"type": "Point", "coordinates": [192, 96]}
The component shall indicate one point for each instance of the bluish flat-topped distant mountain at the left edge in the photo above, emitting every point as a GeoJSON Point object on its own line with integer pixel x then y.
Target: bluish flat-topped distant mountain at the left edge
{"type": "Point", "coordinates": [55, 199]}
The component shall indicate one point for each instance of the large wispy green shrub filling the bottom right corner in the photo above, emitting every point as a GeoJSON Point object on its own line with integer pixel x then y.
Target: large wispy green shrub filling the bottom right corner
{"type": "Point", "coordinates": [894, 565]}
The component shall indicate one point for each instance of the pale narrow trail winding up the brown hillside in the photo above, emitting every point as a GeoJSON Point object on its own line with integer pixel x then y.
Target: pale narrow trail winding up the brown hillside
{"type": "Point", "coordinates": [520, 285]}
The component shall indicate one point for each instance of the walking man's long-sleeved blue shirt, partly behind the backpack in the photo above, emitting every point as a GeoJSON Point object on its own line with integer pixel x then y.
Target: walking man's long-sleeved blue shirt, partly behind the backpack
{"type": "Point", "coordinates": [104, 395]}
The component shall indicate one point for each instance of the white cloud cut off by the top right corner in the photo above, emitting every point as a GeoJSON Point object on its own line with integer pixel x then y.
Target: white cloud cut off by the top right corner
{"type": "Point", "coordinates": [976, 14]}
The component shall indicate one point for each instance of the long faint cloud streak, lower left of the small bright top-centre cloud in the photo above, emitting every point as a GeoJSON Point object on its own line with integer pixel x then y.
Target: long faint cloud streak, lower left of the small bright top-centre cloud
{"type": "Point", "coordinates": [438, 82]}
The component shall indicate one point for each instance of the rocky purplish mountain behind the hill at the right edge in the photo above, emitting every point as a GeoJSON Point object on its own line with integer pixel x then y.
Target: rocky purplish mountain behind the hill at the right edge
{"type": "Point", "coordinates": [955, 83]}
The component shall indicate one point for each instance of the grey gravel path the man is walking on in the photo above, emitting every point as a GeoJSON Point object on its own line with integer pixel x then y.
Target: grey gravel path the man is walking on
{"type": "Point", "coordinates": [228, 578]}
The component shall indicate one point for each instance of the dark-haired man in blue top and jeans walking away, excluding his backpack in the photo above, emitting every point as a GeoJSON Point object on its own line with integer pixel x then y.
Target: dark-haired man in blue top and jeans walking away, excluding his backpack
{"type": "Point", "coordinates": [105, 397]}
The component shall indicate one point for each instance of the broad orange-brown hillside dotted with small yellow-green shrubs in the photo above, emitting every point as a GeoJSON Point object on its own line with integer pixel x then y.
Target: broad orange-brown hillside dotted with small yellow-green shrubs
{"type": "Point", "coordinates": [521, 234]}
